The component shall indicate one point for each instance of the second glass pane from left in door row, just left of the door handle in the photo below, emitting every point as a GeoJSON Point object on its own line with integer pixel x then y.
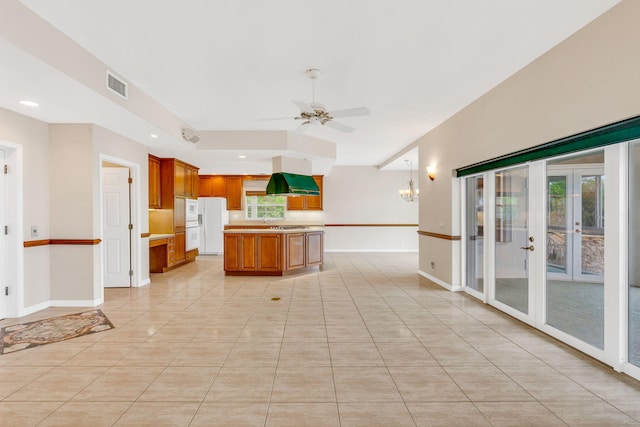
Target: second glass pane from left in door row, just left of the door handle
{"type": "Point", "coordinates": [512, 244]}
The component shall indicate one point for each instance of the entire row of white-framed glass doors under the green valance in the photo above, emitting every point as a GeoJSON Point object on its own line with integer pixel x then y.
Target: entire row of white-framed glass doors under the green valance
{"type": "Point", "coordinates": [556, 244]}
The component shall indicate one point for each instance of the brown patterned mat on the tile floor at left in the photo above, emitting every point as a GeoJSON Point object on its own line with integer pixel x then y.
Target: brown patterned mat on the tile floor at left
{"type": "Point", "coordinates": [55, 329]}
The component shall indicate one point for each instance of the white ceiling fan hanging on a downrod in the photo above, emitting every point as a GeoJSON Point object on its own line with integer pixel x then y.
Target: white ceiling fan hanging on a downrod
{"type": "Point", "coordinates": [314, 113]}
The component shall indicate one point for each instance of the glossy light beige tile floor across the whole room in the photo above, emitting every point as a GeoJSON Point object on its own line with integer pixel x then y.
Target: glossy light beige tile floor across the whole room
{"type": "Point", "coordinates": [364, 342]}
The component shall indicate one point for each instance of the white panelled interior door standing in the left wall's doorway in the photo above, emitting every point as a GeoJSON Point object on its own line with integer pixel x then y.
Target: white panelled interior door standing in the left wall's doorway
{"type": "Point", "coordinates": [116, 227]}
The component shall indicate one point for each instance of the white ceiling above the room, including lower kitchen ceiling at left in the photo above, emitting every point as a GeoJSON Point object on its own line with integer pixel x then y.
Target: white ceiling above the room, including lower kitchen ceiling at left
{"type": "Point", "coordinates": [227, 64]}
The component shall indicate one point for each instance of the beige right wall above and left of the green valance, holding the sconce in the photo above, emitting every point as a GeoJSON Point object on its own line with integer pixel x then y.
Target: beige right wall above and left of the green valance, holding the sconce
{"type": "Point", "coordinates": [589, 80]}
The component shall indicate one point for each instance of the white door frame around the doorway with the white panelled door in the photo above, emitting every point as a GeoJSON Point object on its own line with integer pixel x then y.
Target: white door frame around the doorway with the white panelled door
{"type": "Point", "coordinates": [136, 255]}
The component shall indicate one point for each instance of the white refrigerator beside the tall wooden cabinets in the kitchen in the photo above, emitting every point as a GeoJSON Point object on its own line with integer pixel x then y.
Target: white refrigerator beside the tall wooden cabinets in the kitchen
{"type": "Point", "coordinates": [212, 216]}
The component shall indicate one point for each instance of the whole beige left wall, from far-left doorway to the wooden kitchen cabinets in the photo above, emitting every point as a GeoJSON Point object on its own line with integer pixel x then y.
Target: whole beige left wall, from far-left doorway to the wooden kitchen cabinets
{"type": "Point", "coordinates": [60, 195]}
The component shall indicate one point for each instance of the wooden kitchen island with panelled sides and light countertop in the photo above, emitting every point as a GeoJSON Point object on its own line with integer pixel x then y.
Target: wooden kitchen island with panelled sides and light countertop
{"type": "Point", "coordinates": [274, 251]}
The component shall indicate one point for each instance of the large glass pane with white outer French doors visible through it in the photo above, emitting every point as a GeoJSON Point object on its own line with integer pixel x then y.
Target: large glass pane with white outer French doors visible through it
{"type": "Point", "coordinates": [575, 247]}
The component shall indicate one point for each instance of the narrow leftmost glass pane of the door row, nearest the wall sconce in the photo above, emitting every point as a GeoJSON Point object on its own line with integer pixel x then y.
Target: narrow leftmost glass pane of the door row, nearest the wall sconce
{"type": "Point", "coordinates": [475, 233]}
